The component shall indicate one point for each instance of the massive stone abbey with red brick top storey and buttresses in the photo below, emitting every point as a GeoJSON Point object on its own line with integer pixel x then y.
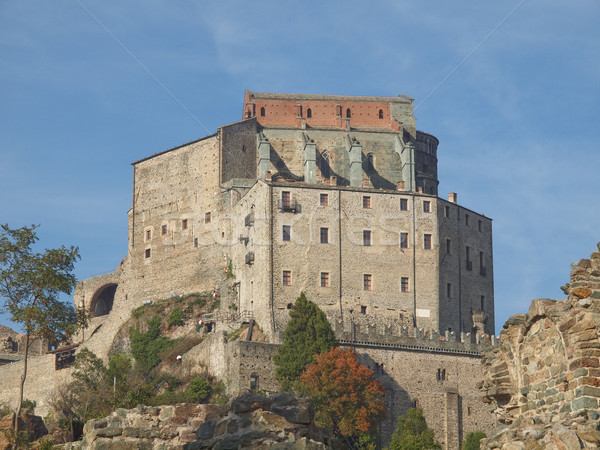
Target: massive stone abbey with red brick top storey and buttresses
{"type": "Point", "coordinates": [333, 196]}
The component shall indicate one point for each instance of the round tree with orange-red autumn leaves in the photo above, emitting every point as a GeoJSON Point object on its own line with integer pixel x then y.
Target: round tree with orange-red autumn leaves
{"type": "Point", "coordinates": [345, 396]}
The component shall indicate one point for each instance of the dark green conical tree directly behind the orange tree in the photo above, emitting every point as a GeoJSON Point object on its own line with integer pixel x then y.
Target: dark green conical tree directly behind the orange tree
{"type": "Point", "coordinates": [308, 333]}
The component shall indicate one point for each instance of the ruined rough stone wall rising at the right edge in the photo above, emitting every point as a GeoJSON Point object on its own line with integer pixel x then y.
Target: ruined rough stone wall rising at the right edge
{"type": "Point", "coordinates": [543, 380]}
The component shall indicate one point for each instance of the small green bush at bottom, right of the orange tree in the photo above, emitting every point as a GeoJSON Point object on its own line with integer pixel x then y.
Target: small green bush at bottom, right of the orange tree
{"type": "Point", "coordinates": [412, 433]}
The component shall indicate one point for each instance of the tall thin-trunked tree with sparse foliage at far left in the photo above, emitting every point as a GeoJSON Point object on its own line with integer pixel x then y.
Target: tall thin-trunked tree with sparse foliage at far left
{"type": "Point", "coordinates": [30, 286]}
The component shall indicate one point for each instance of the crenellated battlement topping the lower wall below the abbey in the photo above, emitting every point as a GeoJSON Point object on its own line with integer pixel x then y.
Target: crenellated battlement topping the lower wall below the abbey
{"type": "Point", "coordinates": [411, 338]}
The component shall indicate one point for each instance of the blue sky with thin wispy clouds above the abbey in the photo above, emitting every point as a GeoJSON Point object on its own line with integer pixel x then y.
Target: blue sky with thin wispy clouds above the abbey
{"type": "Point", "coordinates": [88, 87]}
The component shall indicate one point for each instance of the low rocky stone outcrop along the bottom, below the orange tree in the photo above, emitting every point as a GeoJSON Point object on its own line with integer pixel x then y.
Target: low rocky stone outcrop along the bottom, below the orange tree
{"type": "Point", "coordinates": [249, 421]}
